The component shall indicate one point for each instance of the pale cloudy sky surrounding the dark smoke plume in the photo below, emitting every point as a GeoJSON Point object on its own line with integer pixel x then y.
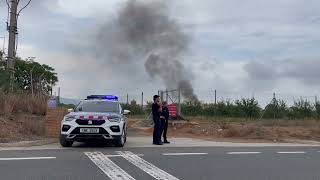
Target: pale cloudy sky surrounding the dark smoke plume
{"type": "Point", "coordinates": [241, 48]}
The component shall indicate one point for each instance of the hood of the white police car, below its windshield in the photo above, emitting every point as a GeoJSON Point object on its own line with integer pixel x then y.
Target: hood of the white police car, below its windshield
{"type": "Point", "coordinates": [95, 115]}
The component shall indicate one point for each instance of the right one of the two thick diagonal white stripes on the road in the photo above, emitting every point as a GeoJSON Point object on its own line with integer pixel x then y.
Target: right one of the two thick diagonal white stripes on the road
{"type": "Point", "coordinates": [147, 167]}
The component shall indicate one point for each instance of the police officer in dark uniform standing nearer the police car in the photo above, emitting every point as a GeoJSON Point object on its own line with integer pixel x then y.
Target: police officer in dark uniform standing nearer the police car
{"type": "Point", "coordinates": [156, 113]}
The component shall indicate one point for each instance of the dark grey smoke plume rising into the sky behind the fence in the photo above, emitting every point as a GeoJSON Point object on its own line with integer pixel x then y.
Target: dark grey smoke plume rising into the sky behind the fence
{"type": "Point", "coordinates": [143, 33]}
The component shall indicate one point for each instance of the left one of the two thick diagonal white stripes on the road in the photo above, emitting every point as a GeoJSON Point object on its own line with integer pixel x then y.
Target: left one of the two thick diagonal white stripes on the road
{"type": "Point", "coordinates": [113, 171]}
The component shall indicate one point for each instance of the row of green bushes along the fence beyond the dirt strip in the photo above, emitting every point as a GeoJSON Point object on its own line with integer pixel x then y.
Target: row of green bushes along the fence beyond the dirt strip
{"type": "Point", "coordinates": [243, 109]}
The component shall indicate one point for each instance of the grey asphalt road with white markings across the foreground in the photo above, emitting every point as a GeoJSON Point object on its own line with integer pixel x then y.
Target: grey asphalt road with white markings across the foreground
{"type": "Point", "coordinates": [195, 163]}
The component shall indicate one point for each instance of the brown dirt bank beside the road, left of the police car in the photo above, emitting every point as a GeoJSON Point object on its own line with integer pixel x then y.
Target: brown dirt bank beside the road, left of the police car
{"type": "Point", "coordinates": [21, 127]}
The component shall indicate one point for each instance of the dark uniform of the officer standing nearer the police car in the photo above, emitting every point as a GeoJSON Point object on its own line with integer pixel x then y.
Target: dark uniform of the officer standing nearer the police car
{"type": "Point", "coordinates": [157, 123]}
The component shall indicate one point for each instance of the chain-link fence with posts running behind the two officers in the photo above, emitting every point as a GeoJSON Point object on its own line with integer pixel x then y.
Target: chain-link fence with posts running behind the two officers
{"type": "Point", "coordinates": [216, 103]}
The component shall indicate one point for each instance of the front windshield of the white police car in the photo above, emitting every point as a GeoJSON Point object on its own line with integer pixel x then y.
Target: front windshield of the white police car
{"type": "Point", "coordinates": [98, 106]}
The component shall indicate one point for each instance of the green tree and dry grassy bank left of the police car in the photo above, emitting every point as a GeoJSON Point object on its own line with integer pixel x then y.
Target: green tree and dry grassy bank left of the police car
{"type": "Point", "coordinates": [23, 103]}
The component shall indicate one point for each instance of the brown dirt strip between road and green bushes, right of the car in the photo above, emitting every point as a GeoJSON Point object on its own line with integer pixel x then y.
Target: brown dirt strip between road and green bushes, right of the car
{"type": "Point", "coordinates": [263, 131]}
